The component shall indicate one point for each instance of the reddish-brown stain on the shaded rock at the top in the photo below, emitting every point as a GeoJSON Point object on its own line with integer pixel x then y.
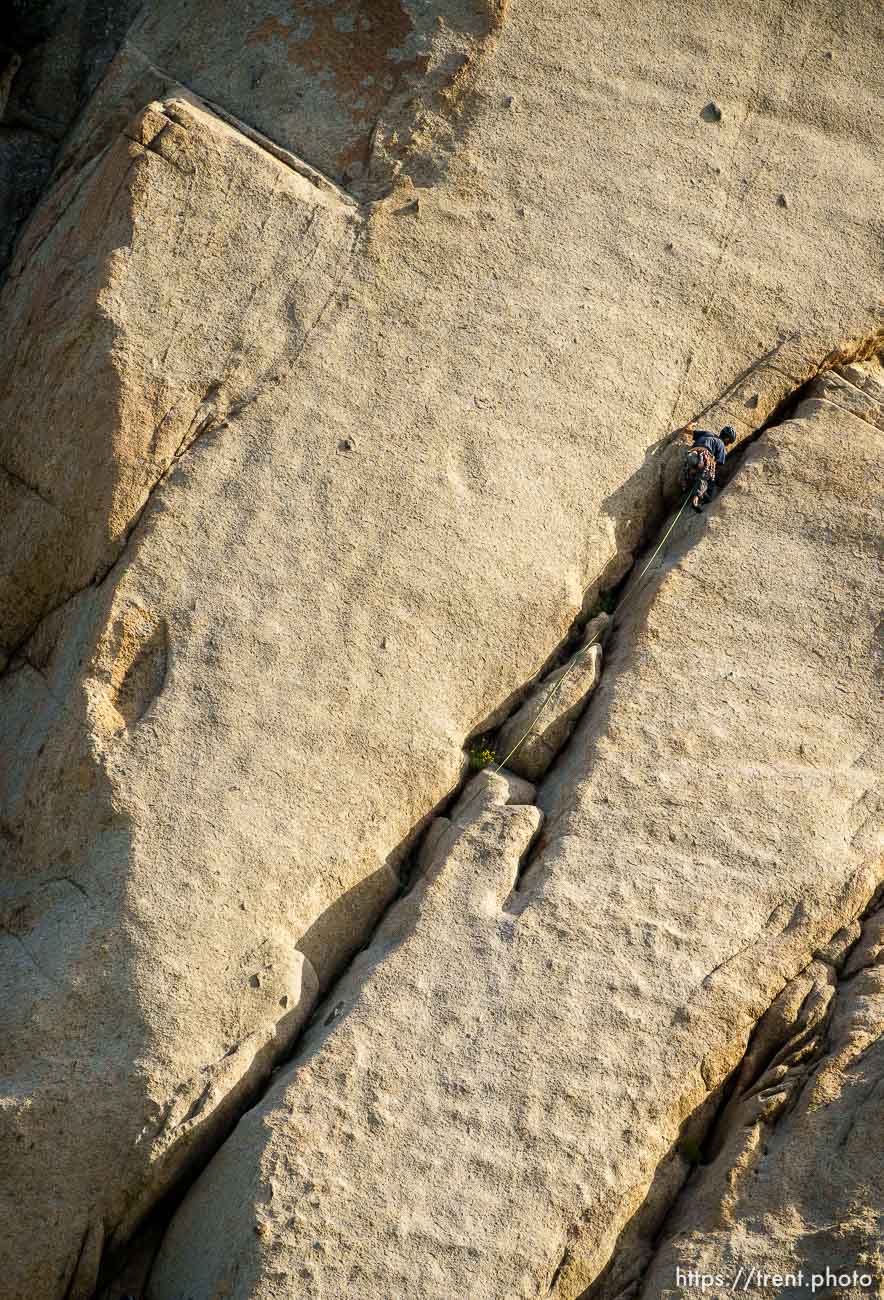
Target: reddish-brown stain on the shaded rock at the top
{"type": "Point", "coordinates": [353, 49]}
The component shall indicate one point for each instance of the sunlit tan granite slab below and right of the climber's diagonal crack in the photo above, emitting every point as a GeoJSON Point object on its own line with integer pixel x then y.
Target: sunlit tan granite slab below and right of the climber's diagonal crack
{"type": "Point", "coordinates": [502, 1089]}
